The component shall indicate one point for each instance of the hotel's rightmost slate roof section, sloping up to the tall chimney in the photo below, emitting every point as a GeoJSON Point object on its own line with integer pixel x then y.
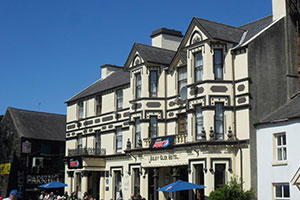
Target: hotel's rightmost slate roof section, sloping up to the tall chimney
{"type": "Point", "coordinates": [256, 26]}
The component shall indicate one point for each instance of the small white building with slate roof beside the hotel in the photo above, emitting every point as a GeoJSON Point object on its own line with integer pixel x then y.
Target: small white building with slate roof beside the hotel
{"type": "Point", "coordinates": [278, 156]}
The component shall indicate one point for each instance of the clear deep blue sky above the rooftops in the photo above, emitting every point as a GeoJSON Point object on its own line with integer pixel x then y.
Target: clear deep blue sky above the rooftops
{"type": "Point", "coordinates": [52, 49]}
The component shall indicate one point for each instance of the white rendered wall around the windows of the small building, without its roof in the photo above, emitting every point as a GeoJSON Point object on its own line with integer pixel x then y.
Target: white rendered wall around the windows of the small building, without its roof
{"type": "Point", "coordinates": [269, 173]}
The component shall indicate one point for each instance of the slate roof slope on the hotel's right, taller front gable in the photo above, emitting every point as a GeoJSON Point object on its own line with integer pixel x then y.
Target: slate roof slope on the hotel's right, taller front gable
{"type": "Point", "coordinates": [220, 31]}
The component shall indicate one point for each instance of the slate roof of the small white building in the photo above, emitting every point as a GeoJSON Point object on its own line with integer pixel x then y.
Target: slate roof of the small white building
{"type": "Point", "coordinates": [289, 110]}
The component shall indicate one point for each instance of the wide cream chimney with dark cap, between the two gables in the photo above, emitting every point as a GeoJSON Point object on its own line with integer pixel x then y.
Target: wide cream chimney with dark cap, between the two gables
{"type": "Point", "coordinates": [166, 38]}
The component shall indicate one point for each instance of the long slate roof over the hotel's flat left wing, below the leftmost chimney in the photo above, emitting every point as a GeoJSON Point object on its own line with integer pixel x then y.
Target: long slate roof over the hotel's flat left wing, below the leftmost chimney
{"type": "Point", "coordinates": [113, 80]}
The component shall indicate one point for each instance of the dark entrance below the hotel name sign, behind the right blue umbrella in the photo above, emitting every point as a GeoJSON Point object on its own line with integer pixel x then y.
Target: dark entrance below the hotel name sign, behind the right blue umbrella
{"type": "Point", "coordinates": [159, 177]}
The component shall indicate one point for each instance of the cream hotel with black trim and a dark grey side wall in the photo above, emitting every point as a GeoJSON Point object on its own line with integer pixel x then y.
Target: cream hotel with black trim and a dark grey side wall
{"type": "Point", "coordinates": [183, 108]}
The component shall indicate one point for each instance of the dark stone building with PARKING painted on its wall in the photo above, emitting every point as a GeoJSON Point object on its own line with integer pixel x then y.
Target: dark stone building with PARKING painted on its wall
{"type": "Point", "coordinates": [31, 150]}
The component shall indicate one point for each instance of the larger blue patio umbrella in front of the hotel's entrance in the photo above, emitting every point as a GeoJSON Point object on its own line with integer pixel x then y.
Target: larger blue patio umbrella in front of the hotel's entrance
{"type": "Point", "coordinates": [179, 186]}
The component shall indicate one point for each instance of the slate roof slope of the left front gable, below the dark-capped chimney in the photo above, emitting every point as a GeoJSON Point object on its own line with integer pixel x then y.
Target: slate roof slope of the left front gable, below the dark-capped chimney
{"type": "Point", "coordinates": [155, 54]}
